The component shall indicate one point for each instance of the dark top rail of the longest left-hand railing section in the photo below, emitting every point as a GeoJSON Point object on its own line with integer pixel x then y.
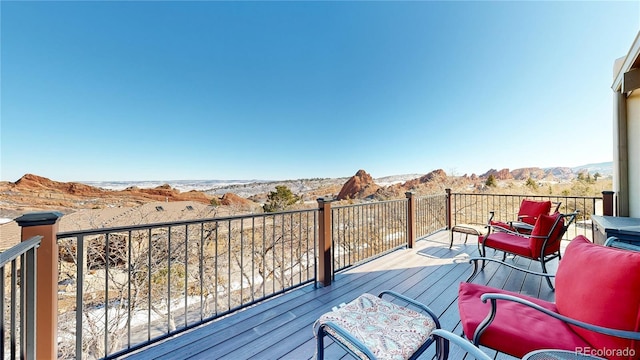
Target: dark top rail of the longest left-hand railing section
{"type": "Point", "coordinates": [74, 233]}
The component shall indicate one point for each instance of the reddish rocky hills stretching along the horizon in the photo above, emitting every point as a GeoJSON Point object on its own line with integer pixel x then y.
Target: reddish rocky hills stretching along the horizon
{"type": "Point", "coordinates": [36, 193]}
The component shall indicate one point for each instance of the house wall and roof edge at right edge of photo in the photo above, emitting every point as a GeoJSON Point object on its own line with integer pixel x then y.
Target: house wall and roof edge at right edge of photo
{"type": "Point", "coordinates": [626, 131]}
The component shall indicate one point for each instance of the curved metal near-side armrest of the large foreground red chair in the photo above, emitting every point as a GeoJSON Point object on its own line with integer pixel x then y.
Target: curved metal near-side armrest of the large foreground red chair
{"type": "Point", "coordinates": [494, 297]}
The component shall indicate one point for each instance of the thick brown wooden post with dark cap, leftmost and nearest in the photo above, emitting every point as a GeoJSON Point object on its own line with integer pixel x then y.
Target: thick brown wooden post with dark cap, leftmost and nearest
{"type": "Point", "coordinates": [45, 224]}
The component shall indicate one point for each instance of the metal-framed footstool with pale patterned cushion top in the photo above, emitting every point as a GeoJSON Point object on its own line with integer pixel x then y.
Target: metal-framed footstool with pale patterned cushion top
{"type": "Point", "coordinates": [372, 328]}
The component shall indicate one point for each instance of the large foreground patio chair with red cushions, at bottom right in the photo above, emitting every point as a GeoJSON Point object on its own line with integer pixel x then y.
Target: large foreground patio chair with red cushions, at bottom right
{"type": "Point", "coordinates": [595, 312]}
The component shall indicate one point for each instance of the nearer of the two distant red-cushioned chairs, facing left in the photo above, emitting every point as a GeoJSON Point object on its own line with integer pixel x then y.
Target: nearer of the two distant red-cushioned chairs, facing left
{"type": "Point", "coordinates": [542, 244]}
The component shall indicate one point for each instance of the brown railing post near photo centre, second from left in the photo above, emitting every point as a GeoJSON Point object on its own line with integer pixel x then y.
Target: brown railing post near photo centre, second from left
{"type": "Point", "coordinates": [325, 260]}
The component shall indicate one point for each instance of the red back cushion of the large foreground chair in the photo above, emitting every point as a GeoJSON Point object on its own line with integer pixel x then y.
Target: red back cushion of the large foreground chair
{"type": "Point", "coordinates": [601, 286]}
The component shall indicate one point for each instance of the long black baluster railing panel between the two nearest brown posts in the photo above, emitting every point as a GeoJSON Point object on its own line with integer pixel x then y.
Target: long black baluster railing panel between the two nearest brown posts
{"type": "Point", "coordinates": [139, 284]}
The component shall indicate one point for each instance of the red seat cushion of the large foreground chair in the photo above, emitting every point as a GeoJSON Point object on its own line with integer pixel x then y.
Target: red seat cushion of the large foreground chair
{"type": "Point", "coordinates": [514, 334]}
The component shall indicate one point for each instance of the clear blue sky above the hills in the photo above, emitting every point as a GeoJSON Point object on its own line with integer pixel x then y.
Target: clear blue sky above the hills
{"type": "Point", "coordinates": [148, 90]}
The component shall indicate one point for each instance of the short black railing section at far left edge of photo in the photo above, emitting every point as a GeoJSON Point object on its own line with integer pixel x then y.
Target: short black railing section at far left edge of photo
{"type": "Point", "coordinates": [18, 302]}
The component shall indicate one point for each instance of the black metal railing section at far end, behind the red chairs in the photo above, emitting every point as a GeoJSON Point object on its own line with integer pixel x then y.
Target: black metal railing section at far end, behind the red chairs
{"type": "Point", "coordinates": [475, 208]}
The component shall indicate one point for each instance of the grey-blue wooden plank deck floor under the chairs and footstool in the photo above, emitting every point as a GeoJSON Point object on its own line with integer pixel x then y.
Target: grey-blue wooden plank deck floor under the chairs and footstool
{"type": "Point", "coordinates": [281, 327]}
